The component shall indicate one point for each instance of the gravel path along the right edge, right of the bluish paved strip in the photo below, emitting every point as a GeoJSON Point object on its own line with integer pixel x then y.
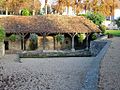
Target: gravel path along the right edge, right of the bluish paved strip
{"type": "Point", "coordinates": [110, 67]}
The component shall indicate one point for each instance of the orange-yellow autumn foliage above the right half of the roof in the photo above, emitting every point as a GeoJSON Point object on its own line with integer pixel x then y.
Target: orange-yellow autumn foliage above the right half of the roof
{"type": "Point", "coordinates": [105, 7]}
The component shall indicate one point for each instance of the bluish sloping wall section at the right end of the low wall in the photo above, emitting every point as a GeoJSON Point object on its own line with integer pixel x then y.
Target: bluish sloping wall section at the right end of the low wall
{"type": "Point", "coordinates": [96, 46]}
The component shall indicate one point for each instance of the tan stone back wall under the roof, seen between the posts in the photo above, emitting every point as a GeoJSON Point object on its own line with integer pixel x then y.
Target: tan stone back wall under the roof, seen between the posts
{"type": "Point", "coordinates": [49, 44]}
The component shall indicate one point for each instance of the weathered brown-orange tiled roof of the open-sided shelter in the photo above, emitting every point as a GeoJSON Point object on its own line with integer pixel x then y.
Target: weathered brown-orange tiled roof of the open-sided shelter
{"type": "Point", "coordinates": [47, 23]}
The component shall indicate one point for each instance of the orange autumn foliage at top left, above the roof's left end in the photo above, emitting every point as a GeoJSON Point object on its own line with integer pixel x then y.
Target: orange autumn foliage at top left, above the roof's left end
{"type": "Point", "coordinates": [15, 5]}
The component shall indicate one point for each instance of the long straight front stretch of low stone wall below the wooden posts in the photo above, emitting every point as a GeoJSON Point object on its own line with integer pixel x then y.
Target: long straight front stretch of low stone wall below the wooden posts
{"type": "Point", "coordinates": [41, 54]}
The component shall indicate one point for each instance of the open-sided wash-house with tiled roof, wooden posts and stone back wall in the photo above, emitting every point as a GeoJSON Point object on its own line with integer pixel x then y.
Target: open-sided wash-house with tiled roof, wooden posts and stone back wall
{"type": "Point", "coordinates": [46, 27]}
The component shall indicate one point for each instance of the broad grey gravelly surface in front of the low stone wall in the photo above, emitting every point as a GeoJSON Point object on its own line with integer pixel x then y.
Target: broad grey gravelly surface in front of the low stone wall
{"type": "Point", "coordinates": [44, 73]}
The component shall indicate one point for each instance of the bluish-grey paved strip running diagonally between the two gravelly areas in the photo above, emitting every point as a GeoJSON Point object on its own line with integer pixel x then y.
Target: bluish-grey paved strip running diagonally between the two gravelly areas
{"type": "Point", "coordinates": [92, 76]}
